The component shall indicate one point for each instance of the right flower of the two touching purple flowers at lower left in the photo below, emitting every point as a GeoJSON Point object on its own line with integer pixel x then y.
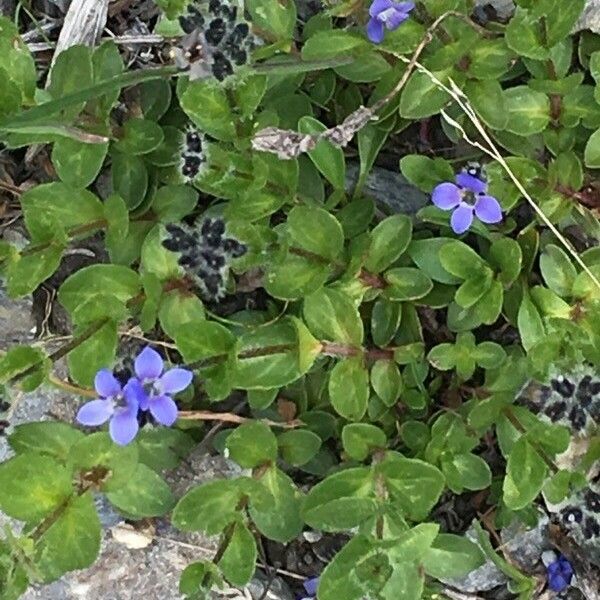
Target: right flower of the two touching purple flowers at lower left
{"type": "Point", "coordinates": [154, 389]}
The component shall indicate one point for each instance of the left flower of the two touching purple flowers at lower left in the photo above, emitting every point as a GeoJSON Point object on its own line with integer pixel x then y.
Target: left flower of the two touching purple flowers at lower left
{"type": "Point", "coordinates": [117, 404]}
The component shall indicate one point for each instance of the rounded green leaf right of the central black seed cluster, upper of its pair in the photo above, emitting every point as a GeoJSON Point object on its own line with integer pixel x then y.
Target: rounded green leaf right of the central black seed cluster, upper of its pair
{"type": "Point", "coordinates": [316, 230]}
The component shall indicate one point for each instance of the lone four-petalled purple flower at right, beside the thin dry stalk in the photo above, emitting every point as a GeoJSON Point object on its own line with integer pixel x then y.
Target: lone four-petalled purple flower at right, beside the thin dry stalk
{"type": "Point", "coordinates": [467, 196]}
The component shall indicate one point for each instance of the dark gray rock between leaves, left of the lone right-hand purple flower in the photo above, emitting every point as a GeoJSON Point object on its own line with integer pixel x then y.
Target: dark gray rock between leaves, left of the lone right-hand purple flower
{"type": "Point", "coordinates": [389, 189]}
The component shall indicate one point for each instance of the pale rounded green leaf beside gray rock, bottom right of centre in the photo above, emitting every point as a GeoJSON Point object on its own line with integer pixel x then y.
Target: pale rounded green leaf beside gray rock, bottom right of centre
{"type": "Point", "coordinates": [452, 556]}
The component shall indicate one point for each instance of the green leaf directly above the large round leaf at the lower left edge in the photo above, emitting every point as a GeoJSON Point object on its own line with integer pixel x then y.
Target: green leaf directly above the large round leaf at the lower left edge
{"type": "Point", "coordinates": [52, 438]}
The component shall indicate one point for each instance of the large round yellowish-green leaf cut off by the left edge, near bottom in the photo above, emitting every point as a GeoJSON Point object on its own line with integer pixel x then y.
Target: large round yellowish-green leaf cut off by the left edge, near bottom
{"type": "Point", "coordinates": [32, 486]}
